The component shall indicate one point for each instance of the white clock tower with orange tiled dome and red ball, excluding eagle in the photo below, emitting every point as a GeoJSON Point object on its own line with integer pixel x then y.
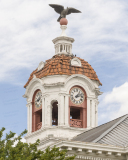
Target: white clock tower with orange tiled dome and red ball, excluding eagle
{"type": "Point", "coordinates": [62, 94]}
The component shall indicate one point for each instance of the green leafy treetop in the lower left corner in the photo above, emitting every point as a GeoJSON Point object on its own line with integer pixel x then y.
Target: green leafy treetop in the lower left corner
{"type": "Point", "coordinates": [12, 148]}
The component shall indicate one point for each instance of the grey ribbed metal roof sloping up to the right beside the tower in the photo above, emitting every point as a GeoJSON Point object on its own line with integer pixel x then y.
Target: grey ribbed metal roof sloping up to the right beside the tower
{"type": "Point", "coordinates": [114, 132]}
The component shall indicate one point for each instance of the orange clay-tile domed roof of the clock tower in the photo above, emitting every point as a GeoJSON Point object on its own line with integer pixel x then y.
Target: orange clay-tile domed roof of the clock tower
{"type": "Point", "coordinates": [61, 65]}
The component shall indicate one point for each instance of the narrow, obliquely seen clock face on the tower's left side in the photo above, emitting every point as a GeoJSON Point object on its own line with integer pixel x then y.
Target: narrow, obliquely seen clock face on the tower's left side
{"type": "Point", "coordinates": [38, 99]}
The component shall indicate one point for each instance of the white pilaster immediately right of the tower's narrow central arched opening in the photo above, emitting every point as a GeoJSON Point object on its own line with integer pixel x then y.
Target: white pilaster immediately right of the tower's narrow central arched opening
{"type": "Point", "coordinates": [61, 110]}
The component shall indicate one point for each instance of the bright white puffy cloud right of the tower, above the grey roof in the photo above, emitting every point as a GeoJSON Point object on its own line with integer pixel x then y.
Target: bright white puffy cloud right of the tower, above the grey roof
{"type": "Point", "coordinates": [114, 104]}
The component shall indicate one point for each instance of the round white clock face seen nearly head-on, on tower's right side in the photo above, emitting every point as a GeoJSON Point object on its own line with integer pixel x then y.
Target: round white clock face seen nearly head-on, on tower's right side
{"type": "Point", "coordinates": [77, 96]}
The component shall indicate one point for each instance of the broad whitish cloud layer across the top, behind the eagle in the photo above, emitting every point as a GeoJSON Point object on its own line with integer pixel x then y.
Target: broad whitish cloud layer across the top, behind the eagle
{"type": "Point", "coordinates": [27, 28]}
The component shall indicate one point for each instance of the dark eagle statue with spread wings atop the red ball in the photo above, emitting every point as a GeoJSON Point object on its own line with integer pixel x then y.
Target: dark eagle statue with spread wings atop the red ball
{"type": "Point", "coordinates": [63, 12]}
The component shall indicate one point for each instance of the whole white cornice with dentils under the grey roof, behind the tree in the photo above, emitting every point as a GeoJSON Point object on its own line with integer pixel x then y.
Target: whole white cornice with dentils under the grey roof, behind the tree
{"type": "Point", "coordinates": [86, 150]}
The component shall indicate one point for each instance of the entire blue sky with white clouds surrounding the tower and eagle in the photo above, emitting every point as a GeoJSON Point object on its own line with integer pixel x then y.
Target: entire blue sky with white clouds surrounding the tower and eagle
{"type": "Point", "coordinates": [27, 28]}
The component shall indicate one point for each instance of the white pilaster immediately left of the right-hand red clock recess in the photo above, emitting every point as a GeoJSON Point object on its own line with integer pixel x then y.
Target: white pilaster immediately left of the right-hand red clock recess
{"type": "Point", "coordinates": [66, 110]}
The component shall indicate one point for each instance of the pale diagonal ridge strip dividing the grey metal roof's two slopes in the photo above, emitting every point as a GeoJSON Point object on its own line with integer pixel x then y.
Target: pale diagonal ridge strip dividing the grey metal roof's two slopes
{"type": "Point", "coordinates": [108, 130]}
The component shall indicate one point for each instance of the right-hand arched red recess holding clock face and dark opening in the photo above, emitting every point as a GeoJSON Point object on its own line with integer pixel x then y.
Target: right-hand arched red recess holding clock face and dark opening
{"type": "Point", "coordinates": [78, 107]}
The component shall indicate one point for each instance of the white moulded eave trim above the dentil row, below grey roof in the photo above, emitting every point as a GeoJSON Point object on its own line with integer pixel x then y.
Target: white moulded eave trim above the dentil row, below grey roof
{"type": "Point", "coordinates": [86, 146]}
